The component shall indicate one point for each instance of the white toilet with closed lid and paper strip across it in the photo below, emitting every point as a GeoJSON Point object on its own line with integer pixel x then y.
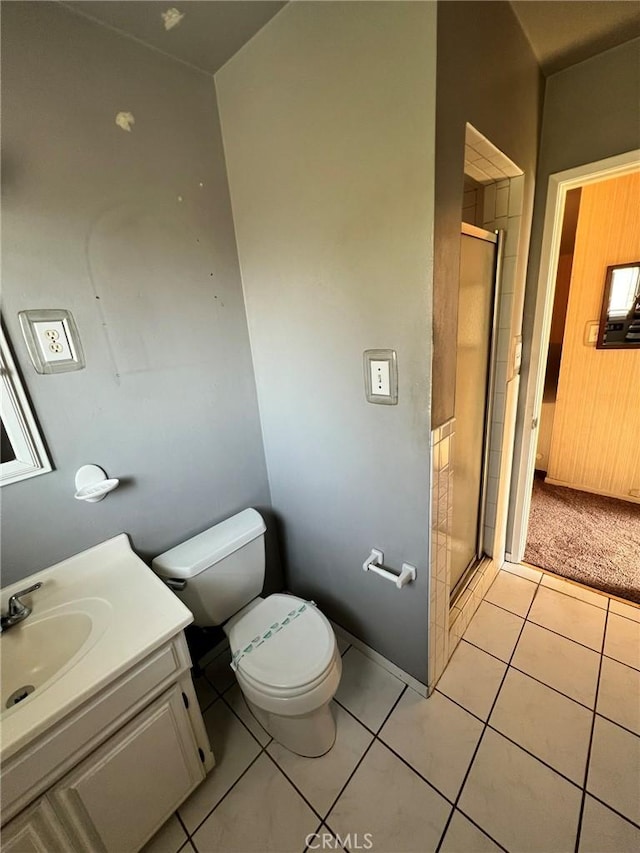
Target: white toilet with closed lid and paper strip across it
{"type": "Point", "coordinates": [284, 652]}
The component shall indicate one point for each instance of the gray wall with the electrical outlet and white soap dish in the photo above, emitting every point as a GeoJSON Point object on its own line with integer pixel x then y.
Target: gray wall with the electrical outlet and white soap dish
{"type": "Point", "coordinates": [92, 223]}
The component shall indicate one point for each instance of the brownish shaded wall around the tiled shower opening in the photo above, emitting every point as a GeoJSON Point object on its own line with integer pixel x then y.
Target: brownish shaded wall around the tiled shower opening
{"type": "Point", "coordinates": [488, 76]}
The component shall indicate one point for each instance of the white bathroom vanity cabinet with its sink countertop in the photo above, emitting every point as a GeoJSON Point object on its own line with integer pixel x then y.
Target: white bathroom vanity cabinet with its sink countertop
{"type": "Point", "coordinates": [110, 740]}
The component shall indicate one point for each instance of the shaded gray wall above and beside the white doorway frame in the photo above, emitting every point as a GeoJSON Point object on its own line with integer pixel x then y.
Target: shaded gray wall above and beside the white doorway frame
{"type": "Point", "coordinates": [590, 113]}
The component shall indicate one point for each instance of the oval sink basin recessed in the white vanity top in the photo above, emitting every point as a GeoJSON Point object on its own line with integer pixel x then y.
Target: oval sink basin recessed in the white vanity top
{"type": "Point", "coordinates": [43, 646]}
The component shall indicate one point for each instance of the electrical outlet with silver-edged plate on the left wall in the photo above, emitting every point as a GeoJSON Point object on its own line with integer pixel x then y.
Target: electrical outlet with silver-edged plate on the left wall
{"type": "Point", "coordinates": [52, 340]}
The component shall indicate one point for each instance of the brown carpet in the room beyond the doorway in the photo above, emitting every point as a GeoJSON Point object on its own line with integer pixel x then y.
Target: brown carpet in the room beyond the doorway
{"type": "Point", "coordinates": [587, 538]}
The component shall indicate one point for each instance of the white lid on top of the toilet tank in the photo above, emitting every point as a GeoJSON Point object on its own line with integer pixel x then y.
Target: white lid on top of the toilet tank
{"type": "Point", "coordinates": [207, 548]}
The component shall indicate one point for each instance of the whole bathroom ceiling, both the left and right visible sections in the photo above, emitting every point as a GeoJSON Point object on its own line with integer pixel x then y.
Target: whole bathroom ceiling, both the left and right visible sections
{"type": "Point", "coordinates": [561, 32]}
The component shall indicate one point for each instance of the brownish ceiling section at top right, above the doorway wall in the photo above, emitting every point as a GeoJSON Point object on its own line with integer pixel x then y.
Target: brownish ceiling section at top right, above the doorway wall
{"type": "Point", "coordinates": [564, 32]}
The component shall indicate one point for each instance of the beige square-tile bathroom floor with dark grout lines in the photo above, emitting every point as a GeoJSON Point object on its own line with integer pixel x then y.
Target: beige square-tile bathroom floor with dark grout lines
{"type": "Point", "coordinates": [531, 742]}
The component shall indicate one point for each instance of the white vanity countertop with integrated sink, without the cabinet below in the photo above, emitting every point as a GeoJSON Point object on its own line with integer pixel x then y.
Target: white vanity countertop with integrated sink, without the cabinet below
{"type": "Point", "coordinates": [95, 616]}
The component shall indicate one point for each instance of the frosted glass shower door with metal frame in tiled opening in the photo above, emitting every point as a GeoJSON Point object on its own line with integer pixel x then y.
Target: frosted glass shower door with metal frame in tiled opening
{"type": "Point", "coordinates": [475, 340]}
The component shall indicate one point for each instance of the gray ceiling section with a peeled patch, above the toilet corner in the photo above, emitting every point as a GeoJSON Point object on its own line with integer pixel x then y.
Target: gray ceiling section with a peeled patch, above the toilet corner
{"type": "Point", "coordinates": [206, 37]}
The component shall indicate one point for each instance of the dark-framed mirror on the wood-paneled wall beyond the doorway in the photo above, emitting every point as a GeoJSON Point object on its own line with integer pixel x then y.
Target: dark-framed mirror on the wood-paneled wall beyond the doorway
{"type": "Point", "coordinates": [620, 315]}
